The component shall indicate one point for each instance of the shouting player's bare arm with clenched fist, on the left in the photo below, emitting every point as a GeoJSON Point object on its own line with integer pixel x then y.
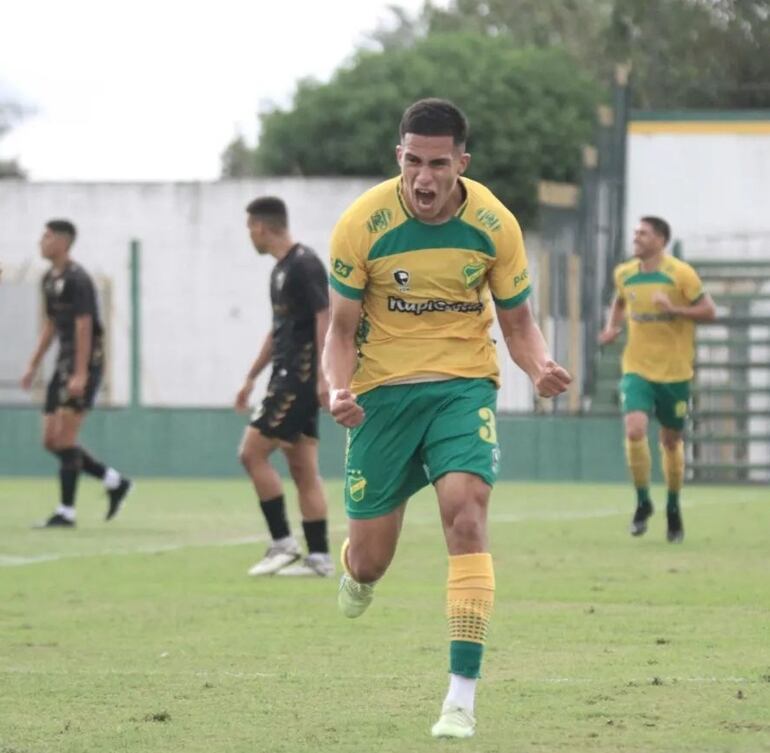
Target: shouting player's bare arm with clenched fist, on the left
{"type": "Point", "coordinates": [340, 360]}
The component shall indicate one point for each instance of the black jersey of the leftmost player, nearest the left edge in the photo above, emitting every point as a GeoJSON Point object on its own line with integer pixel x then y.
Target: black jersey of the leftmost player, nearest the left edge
{"type": "Point", "coordinates": [69, 294]}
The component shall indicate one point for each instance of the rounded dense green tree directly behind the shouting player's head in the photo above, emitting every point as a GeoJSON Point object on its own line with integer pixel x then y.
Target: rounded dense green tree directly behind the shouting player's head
{"type": "Point", "coordinates": [530, 112]}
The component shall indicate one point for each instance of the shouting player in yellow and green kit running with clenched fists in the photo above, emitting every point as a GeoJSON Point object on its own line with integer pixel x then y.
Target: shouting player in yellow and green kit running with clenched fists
{"type": "Point", "coordinates": [418, 263]}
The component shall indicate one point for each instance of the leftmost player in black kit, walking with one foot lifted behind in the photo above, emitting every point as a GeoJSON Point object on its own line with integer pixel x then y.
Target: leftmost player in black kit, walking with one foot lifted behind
{"type": "Point", "coordinates": [72, 315]}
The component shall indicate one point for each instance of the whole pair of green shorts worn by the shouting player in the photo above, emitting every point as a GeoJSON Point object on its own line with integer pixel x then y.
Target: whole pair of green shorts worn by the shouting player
{"type": "Point", "coordinates": [415, 433]}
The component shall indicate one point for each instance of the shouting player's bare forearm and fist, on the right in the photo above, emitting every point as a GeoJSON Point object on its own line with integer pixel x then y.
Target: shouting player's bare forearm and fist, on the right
{"type": "Point", "coordinates": [528, 349]}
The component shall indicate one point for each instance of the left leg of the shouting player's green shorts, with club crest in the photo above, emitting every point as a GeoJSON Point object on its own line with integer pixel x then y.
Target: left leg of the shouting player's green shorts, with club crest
{"type": "Point", "coordinates": [382, 461]}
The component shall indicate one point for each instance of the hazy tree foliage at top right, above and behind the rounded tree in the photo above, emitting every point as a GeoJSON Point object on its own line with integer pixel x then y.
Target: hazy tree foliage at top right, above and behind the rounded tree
{"type": "Point", "coordinates": [684, 53]}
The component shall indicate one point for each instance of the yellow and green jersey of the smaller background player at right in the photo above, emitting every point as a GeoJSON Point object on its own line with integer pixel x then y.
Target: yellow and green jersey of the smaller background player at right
{"type": "Point", "coordinates": [661, 346]}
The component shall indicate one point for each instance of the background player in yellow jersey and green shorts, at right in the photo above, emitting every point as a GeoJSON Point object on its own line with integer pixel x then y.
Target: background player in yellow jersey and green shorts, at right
{"type": "Point", "coordinates": [661, 298]}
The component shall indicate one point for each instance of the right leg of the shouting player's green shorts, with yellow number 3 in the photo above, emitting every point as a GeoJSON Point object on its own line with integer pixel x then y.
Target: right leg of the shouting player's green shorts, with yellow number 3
{"type": "Point", "coordinates": [462, 434]}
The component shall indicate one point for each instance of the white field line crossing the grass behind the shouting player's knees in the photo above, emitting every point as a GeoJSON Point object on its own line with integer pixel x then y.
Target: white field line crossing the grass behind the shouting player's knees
{"type": "Point", "coordinates": [12, 560]}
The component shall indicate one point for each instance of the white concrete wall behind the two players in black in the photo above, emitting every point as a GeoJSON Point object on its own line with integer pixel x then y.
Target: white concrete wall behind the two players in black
{"type": "Point", "coordinates": [205, 300]}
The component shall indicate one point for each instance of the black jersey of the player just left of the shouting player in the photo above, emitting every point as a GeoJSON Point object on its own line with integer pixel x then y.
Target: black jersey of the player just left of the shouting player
{"type": "Point", "coordinates": [298, 290]}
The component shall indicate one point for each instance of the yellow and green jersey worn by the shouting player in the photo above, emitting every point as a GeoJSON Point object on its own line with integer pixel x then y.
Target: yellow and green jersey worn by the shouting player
{"type": "Point", "coordinates": [427, 290]}
